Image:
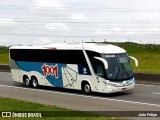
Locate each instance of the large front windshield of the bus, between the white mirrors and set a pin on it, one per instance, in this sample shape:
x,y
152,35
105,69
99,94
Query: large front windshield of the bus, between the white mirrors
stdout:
x,y
119,66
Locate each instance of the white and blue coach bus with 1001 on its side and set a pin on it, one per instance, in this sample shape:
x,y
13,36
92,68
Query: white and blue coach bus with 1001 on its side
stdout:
x,y
90,67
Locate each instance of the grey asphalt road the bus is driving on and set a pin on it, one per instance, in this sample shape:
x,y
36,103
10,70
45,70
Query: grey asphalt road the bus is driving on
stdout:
x,y
142,98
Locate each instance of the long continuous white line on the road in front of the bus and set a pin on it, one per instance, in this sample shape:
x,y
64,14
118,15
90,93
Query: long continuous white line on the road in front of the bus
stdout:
x,y
133,102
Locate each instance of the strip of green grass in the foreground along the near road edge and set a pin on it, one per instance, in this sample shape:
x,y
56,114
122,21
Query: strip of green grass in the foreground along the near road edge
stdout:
x,y
21,106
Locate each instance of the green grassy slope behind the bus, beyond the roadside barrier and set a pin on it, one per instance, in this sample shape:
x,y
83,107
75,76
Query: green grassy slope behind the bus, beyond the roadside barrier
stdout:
x,y
148,55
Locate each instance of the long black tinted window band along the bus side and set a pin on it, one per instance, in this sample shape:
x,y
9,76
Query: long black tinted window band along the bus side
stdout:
x,y
52,56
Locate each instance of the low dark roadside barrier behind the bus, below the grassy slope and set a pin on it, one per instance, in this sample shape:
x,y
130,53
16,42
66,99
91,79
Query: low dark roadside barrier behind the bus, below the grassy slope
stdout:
x,y
140,77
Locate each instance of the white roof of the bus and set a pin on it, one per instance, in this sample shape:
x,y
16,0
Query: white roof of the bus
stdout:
x,y
97,47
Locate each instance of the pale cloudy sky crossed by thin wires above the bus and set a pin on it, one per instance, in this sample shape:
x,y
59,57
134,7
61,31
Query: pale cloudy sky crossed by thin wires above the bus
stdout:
x,y
28,22
